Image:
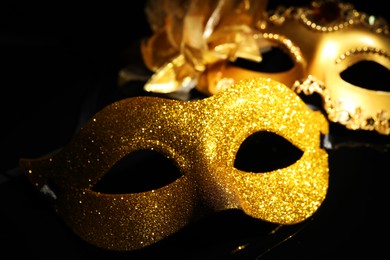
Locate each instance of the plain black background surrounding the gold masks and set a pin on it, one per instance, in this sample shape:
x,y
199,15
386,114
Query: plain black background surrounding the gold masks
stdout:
x,y
59,65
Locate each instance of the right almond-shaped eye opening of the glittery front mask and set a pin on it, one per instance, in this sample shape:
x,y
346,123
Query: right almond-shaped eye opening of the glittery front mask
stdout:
x,y
265,151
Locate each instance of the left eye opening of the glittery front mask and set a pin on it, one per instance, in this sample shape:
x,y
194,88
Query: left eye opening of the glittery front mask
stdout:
x,y
139,171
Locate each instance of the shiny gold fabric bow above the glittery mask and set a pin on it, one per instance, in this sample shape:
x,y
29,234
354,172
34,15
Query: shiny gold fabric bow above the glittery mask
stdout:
x,y
189,35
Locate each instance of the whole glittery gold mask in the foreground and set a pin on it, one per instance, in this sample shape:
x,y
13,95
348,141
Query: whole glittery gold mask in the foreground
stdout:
x,y
201,138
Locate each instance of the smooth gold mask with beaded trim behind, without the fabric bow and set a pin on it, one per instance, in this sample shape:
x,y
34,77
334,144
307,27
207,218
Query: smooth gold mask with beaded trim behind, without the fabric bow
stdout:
x,y
325,41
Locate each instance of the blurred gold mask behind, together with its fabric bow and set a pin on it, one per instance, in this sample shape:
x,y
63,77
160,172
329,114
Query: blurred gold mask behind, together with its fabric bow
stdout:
x,y
324,42
